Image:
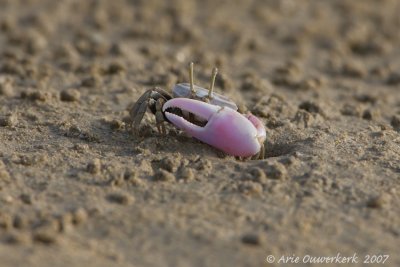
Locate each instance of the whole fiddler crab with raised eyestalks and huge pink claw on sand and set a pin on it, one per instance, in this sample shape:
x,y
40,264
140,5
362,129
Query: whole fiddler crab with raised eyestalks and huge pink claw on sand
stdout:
x,y
207,116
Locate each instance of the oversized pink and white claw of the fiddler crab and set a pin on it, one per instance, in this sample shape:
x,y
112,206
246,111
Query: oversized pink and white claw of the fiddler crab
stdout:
x,y
226,129
